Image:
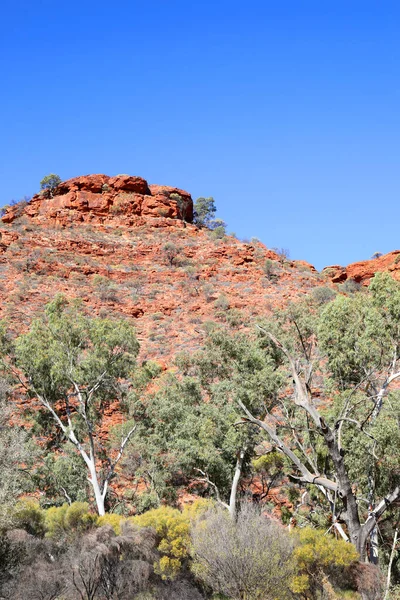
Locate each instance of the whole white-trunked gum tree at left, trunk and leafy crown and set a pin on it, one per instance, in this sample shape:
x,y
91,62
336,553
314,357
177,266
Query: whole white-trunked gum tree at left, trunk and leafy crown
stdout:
x,y
73,366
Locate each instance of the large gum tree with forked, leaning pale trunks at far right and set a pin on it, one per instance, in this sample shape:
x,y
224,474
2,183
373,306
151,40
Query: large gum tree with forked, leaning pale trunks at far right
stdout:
x,y
339,426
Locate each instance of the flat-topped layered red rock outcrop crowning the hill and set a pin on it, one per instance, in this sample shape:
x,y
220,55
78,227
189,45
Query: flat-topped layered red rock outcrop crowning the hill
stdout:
x,y
124,199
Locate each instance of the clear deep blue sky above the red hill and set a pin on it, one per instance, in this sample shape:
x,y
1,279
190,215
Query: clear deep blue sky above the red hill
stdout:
x,y
287,112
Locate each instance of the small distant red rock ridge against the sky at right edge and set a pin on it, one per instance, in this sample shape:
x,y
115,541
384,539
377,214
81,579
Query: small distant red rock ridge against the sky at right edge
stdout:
x,y
363,271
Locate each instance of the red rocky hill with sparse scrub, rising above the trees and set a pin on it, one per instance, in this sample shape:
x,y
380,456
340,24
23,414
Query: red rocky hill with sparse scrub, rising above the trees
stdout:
x,y
128,248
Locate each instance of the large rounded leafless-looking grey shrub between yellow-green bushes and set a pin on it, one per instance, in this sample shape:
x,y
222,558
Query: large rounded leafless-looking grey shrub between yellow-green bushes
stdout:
x,y
245,559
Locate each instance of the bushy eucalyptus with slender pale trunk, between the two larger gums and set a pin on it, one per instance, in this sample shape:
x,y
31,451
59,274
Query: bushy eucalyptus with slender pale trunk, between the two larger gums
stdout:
x,y
187,431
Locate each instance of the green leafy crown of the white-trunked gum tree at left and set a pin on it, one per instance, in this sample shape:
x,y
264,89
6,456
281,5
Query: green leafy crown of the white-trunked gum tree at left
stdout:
x,y
66,344
